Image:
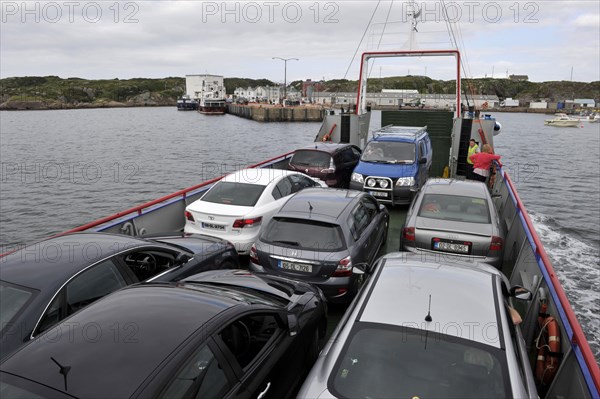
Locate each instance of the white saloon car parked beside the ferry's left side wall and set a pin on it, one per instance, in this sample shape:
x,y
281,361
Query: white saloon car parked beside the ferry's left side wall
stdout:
x,y
238,205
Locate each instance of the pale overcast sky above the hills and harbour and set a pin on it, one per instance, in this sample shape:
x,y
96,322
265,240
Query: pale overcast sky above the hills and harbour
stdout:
x,y
546,40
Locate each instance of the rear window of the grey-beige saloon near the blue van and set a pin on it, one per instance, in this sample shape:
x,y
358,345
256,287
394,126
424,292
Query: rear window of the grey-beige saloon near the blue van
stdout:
x,y
455,208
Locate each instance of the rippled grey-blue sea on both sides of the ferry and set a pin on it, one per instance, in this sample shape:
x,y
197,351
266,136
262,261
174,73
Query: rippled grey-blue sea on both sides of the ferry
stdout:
x,y
62,169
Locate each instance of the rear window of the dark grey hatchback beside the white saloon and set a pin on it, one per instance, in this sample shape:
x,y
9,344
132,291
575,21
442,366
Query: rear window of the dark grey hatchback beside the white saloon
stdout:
x,y
304,234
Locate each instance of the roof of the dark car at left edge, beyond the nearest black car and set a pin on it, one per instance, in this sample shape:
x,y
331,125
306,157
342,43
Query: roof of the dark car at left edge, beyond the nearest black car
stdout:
x,y
54,260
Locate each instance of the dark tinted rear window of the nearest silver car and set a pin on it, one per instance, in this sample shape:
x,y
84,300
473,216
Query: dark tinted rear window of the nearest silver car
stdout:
x,y
383,361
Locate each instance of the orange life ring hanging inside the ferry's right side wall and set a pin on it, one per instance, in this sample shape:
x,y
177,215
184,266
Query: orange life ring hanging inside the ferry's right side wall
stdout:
x,y
548,351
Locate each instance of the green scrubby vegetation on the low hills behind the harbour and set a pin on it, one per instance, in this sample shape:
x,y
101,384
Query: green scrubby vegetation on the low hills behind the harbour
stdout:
x,y
53,92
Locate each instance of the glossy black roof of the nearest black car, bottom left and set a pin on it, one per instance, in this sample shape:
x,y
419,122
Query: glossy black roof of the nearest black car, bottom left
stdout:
x,y
139,326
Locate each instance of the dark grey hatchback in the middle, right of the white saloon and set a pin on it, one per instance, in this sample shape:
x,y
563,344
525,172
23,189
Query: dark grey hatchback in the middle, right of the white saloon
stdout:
x,y
325,237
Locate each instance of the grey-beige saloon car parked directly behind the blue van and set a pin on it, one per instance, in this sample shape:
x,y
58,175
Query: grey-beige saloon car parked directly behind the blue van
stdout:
x,y
457,217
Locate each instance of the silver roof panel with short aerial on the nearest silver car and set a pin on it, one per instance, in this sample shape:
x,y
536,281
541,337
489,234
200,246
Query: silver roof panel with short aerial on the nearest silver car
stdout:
x,y
463,299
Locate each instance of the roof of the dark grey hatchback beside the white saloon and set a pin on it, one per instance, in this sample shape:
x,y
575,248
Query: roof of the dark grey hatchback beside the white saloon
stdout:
x,y
327,204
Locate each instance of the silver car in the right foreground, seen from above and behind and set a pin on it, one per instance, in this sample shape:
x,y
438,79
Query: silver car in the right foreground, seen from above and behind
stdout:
x,y
425,328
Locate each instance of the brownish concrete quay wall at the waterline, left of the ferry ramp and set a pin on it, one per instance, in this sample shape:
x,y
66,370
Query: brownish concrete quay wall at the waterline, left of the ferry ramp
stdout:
x,y
273,113
